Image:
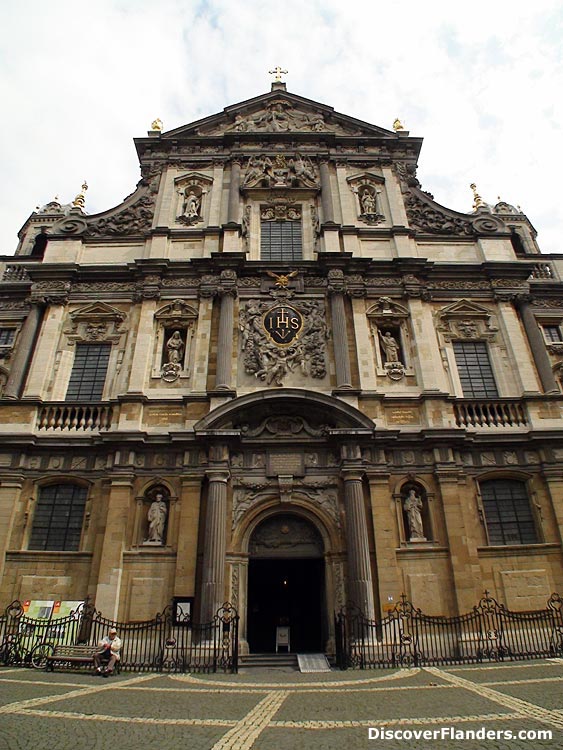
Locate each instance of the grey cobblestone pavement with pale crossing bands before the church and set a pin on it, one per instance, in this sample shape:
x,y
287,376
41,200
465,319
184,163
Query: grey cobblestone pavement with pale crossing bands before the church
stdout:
x,y
285,709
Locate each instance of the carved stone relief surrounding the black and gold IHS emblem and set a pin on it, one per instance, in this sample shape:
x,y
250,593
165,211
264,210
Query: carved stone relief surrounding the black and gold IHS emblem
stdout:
x,y
302,324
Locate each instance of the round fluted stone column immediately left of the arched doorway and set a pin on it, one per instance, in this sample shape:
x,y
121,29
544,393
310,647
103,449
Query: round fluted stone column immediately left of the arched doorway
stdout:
x,y
215,544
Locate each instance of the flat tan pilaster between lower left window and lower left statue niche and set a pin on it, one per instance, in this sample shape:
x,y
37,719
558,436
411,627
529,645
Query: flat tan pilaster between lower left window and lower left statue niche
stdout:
x,y
116,525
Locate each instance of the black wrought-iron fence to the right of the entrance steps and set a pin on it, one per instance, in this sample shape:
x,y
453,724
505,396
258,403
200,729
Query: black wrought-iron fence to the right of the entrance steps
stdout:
x,y
408,637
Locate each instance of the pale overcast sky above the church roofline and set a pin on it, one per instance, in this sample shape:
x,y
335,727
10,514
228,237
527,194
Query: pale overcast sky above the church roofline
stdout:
x,y
481,82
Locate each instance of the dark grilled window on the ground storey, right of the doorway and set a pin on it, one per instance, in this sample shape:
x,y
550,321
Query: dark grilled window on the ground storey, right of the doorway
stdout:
x,y
508,514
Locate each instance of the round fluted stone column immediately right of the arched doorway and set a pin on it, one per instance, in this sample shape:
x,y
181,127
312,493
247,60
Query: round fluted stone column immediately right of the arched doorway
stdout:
x,y
360,584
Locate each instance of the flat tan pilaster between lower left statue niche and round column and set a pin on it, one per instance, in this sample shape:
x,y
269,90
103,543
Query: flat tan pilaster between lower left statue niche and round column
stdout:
x,y
188,520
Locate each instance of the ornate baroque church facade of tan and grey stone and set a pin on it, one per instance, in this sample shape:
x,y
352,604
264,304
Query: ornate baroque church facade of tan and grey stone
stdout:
x,y
280,374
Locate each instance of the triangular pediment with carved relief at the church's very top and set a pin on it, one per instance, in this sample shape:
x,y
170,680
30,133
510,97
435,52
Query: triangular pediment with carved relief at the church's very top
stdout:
x,y
279,111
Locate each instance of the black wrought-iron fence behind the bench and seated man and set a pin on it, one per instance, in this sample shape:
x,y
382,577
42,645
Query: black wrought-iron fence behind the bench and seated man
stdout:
x,y
168,643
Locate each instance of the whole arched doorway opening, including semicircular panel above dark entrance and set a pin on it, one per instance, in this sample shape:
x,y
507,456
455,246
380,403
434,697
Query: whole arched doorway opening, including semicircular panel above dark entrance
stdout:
x,y
286,584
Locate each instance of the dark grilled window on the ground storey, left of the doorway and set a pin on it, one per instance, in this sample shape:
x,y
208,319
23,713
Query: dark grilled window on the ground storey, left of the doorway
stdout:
x,y
57,522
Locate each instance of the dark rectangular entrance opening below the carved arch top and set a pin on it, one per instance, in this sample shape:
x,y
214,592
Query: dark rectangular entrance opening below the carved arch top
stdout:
x,y
285,592
